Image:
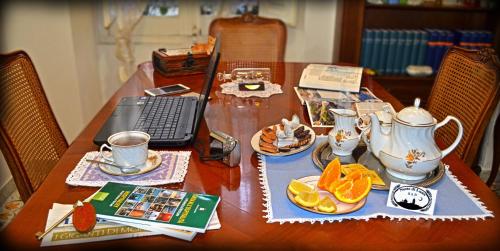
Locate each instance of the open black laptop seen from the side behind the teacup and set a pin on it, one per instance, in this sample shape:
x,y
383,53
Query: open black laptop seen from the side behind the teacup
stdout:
x,y
170,121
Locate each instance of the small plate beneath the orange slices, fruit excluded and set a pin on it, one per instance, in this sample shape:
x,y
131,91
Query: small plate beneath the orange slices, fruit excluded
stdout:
x,y
342,208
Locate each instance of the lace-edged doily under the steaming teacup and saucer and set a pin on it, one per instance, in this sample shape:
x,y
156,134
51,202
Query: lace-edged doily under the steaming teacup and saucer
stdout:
x,y
173,169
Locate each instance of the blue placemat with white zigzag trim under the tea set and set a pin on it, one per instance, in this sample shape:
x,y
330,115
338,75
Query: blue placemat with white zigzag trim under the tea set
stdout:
x,y
454,201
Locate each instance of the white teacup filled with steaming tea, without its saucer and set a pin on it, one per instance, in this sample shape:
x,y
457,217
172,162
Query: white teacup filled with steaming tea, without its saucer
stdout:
x,y
128,148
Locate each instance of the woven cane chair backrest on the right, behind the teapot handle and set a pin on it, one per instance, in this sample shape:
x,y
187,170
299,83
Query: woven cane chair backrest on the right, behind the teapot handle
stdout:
x,y
467,87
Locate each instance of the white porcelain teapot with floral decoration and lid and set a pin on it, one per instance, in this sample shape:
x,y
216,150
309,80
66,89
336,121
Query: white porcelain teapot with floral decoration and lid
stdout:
x,y
408,149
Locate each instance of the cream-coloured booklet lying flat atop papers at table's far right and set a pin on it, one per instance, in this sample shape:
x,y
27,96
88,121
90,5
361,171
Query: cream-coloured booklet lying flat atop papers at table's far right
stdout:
x,y
331,77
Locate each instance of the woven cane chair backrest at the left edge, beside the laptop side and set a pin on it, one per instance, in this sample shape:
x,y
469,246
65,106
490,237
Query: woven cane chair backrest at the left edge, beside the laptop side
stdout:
x,y
30,138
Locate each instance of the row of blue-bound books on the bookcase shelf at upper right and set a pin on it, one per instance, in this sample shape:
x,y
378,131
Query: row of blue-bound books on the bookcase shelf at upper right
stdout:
x,y
389,51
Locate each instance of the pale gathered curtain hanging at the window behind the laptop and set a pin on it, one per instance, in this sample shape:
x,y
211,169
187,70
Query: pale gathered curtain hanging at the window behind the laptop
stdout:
x,y
123,16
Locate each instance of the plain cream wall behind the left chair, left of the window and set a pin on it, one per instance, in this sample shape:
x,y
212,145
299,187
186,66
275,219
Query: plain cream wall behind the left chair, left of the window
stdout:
x,y
60,40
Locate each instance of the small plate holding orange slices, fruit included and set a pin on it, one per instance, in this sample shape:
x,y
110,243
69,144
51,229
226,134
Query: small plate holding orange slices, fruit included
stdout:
x,y
330,193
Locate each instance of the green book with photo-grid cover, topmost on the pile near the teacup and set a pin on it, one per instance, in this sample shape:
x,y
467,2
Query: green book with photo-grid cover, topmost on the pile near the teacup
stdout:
x,y
155,207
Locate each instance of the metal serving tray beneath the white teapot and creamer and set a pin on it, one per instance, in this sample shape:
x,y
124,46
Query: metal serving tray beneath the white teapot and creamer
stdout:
x,y
322,155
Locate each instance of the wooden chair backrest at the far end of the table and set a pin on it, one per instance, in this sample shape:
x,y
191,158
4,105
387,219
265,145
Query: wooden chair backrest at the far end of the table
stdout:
x,y
250,38
